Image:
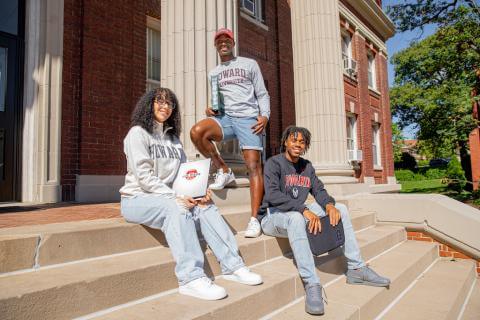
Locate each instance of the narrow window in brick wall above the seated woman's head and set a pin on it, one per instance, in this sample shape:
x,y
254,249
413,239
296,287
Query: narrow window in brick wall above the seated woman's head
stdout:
x,y
153,53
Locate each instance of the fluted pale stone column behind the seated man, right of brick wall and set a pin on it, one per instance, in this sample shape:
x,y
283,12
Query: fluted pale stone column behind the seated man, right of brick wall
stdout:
x,y
319,93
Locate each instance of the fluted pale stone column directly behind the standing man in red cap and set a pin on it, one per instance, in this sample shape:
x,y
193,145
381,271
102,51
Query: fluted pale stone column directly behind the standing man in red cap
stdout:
x,y
188,53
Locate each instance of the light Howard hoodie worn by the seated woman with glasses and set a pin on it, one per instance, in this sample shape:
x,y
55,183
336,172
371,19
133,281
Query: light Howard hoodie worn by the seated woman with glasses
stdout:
x,y
152,161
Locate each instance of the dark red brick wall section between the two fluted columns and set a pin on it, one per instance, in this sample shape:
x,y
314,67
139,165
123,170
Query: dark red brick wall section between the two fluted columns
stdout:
x,y
272,49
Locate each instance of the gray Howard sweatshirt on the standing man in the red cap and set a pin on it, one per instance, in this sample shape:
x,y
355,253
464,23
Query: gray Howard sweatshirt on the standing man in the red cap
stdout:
x,y
241,88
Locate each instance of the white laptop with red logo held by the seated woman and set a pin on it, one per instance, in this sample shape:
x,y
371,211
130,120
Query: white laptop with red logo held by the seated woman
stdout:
x,y
192,178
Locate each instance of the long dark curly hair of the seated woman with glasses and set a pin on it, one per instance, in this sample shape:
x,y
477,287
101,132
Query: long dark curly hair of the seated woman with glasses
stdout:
x,y
143,116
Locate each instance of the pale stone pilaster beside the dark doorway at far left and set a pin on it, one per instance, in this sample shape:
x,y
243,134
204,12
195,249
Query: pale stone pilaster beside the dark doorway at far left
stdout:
x,y
42,101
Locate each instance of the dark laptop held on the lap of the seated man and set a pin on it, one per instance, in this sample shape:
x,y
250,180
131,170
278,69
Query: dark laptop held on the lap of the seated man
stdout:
x,y
330,238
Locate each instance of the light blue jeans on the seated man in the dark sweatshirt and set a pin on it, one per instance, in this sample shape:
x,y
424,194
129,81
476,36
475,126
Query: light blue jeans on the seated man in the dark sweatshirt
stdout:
x,y
293,226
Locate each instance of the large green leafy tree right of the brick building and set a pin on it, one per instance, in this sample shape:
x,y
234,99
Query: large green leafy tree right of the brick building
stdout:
x,y
435,77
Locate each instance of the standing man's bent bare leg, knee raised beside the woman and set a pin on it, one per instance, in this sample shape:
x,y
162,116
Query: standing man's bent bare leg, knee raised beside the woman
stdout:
x,y
203,134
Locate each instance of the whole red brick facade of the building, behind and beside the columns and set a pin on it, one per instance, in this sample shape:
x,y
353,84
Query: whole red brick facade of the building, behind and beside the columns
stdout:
x,y
104,72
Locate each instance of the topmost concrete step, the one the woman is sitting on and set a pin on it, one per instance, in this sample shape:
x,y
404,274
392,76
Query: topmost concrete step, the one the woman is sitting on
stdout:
x,y
50,244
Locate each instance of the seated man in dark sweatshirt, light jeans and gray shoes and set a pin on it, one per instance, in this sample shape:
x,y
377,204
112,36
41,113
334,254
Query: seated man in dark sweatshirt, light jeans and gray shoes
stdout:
x,y
289,179
